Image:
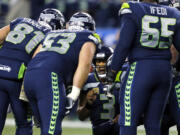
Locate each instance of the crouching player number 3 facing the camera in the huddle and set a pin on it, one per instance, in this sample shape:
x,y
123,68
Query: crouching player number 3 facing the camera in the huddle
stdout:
x,y
96,101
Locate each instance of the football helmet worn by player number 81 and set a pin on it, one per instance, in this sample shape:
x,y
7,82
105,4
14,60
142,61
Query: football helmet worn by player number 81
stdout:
x,y
53,18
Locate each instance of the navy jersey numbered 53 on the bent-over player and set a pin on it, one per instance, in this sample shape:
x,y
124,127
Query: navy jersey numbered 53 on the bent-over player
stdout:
x,y
60,52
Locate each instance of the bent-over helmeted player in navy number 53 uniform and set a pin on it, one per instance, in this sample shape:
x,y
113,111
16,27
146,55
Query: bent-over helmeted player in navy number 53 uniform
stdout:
x,y
63,59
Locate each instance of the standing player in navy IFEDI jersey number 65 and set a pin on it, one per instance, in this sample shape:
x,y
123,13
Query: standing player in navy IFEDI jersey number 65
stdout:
x,y
147,30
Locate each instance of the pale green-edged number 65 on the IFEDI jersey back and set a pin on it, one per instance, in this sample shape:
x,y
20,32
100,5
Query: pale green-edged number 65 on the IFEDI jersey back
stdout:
x,y
150,37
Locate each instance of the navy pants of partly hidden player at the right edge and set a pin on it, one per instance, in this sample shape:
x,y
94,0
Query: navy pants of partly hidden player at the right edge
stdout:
x,y
172,112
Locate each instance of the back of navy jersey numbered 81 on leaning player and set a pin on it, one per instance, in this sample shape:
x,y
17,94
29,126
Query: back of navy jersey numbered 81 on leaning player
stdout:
x,y
24,36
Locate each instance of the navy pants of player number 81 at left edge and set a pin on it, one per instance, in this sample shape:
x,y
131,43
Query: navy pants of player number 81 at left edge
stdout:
x,y
9,94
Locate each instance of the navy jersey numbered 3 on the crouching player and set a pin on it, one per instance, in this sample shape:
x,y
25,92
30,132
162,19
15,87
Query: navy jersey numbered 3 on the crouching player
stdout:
x,y
104,108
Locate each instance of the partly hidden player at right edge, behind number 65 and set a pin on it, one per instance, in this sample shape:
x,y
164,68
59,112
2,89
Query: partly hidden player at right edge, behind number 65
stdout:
x,y
171,115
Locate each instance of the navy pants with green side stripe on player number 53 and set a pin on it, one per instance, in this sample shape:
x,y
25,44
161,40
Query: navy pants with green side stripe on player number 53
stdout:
x,y
46,93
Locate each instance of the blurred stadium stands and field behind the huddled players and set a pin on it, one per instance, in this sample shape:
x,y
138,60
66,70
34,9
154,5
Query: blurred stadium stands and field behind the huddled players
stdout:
x,y
105,13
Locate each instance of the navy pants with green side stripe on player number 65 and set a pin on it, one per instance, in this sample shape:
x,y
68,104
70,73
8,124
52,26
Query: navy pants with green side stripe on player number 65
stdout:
x,y
144,91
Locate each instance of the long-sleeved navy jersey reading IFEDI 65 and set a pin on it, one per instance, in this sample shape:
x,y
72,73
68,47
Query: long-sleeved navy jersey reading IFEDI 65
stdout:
x,y
146,32
